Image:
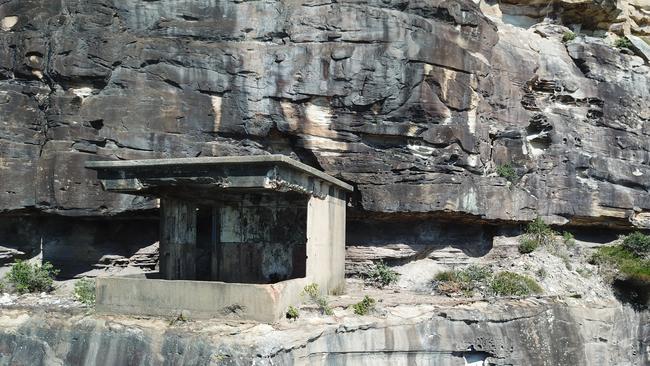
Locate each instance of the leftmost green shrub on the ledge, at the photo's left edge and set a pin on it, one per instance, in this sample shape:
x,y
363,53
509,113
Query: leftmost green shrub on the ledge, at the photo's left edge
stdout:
x,y
25,277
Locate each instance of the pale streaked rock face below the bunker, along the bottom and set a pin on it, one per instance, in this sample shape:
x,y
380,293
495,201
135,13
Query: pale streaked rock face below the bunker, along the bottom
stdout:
x,y
525,332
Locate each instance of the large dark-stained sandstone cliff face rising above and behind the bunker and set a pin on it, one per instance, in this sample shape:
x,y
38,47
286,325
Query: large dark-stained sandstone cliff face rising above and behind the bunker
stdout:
x,y
416,103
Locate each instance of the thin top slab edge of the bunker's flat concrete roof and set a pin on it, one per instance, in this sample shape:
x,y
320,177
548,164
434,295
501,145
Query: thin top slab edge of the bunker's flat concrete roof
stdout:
x,y
216,163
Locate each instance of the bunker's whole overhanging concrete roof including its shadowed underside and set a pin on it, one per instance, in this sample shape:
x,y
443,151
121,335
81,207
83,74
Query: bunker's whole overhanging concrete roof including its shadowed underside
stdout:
x,y
205,175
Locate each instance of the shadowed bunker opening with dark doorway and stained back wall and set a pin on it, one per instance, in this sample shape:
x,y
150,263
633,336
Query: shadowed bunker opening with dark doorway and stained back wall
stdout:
x,y
252,238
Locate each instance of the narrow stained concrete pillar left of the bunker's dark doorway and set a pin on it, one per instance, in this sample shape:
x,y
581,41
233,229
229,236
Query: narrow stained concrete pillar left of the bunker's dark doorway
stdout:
x,y
177,239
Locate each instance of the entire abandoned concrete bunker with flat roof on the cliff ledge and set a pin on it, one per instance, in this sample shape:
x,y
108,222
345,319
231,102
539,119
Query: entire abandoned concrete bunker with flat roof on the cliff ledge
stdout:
x,y
240,234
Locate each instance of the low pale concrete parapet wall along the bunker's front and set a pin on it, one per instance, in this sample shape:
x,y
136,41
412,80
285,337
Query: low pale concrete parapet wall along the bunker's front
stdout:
x,y
198,299
